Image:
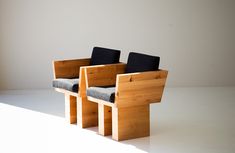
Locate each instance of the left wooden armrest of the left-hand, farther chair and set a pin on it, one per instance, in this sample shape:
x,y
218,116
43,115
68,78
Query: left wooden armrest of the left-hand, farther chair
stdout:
x,y
69,68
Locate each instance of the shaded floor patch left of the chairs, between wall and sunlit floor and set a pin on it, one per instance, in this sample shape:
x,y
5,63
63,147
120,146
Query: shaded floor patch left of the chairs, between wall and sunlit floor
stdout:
x,y
43,101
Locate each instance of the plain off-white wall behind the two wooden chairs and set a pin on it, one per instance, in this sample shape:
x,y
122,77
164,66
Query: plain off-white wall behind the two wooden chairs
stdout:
x,y
194,38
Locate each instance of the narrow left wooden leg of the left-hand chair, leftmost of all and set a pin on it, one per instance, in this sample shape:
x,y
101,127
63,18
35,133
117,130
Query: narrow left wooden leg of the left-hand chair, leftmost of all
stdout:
x,y
70,109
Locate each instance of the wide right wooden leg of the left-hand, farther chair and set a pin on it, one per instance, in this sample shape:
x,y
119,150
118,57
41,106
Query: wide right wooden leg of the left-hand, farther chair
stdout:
x,y
87,115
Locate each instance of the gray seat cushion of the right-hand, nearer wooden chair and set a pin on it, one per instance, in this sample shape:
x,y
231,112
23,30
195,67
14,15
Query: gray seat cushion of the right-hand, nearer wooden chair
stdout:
x,y
103,93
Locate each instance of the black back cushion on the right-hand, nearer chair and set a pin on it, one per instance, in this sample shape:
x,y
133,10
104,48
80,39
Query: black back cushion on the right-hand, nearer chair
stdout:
x,y
141,62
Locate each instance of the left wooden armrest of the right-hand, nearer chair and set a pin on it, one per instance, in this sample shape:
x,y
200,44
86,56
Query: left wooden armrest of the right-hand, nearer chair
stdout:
x,y
103,75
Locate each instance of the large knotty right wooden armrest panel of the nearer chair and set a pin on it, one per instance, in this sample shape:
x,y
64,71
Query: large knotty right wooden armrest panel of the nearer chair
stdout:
x,y
140,88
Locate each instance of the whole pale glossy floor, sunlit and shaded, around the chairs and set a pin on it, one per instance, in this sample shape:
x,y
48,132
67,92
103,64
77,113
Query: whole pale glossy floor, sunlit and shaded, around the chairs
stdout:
x,y
189,120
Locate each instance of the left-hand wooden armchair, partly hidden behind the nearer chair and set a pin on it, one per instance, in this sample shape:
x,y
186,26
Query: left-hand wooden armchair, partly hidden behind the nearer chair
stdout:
x,y
69,79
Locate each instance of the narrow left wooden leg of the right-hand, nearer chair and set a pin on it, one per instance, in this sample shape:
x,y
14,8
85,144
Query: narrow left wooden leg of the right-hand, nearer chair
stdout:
x,y
105,120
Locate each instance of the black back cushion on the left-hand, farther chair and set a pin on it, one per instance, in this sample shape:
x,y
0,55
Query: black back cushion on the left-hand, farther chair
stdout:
x,y
104,56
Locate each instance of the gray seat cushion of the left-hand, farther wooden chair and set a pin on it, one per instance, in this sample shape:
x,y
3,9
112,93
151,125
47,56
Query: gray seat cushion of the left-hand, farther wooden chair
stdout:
x,y
67,84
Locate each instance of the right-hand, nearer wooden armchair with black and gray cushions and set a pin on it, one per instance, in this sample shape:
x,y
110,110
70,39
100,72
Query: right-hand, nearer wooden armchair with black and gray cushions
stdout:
x,y
124,99
